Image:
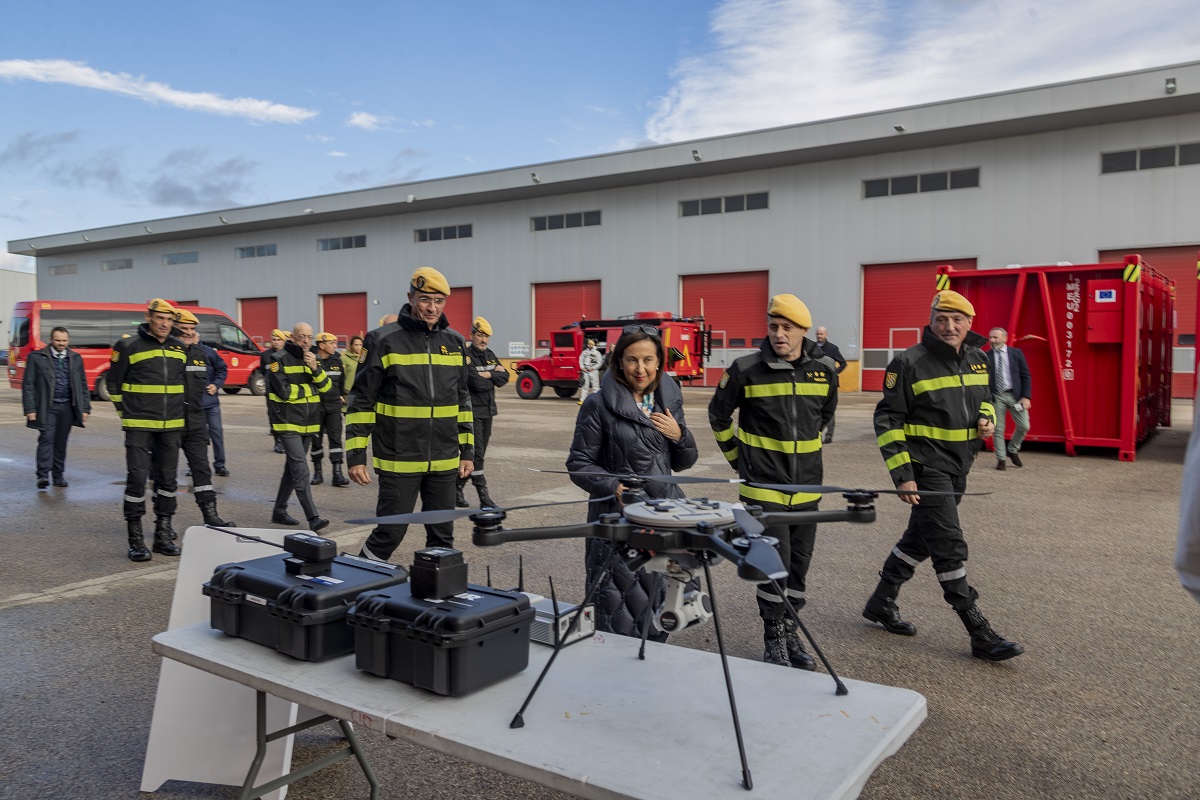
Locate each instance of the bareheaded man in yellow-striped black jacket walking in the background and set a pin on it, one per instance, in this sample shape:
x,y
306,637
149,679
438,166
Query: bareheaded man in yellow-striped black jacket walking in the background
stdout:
x,y
296,382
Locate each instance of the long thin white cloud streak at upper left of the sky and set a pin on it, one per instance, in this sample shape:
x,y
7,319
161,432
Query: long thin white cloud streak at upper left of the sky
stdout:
x,y
80,75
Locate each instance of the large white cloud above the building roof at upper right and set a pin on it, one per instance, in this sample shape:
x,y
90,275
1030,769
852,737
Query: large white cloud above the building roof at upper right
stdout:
x,y
787,62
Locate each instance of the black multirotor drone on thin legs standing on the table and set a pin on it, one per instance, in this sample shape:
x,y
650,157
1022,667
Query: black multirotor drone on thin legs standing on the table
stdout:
x,y
681,539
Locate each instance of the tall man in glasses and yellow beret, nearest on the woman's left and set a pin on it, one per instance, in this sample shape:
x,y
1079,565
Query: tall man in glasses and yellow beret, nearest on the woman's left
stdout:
x,y
412,405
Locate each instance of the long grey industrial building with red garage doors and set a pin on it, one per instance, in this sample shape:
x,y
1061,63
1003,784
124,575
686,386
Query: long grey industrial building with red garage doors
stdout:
x,y
854,215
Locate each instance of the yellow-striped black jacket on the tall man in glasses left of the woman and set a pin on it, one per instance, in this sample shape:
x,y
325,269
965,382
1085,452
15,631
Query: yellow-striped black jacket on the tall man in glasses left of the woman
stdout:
x,y
411,400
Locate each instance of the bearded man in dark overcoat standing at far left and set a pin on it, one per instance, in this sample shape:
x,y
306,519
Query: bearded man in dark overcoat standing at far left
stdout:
x,y
56,396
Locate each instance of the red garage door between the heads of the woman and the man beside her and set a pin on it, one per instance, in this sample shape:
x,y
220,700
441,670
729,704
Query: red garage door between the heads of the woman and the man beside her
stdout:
x,y
735,306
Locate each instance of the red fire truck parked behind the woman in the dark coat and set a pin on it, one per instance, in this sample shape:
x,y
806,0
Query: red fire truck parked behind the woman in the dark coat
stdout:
x,y
685,339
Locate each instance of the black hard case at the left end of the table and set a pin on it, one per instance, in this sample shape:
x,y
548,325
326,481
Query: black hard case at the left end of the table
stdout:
x,y
301,616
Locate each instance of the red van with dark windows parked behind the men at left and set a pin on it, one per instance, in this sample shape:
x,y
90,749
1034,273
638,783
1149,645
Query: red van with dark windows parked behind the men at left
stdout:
x,y
94,327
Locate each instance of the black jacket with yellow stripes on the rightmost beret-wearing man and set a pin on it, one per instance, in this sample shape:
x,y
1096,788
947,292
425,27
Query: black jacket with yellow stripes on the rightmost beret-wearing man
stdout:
x,y
933,402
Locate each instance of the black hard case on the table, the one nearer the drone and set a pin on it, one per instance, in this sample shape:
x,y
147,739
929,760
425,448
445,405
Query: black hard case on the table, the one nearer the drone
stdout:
x,y
451,647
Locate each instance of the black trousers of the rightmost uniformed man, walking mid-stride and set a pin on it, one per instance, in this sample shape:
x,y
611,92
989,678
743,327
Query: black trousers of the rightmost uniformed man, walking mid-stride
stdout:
x,y
934,533
